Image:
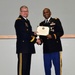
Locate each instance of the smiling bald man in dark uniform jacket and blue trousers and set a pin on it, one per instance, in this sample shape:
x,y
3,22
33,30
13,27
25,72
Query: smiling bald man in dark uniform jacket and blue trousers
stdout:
x,y
51,43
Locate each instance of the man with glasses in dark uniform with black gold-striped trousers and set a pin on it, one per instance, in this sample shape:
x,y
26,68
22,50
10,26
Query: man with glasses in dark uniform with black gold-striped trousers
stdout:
x,y
25,42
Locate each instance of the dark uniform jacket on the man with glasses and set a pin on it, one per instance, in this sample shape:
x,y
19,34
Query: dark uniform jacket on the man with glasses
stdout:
x,y
25,36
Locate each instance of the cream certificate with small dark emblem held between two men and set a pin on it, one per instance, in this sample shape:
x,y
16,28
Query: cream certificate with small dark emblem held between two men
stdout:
x,y
42,30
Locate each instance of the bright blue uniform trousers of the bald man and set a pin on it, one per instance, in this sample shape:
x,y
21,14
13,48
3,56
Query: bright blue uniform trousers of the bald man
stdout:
x,y
48,59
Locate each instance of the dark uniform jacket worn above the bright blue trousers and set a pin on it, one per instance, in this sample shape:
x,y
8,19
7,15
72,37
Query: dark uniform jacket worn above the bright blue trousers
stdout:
x,y
56,31
